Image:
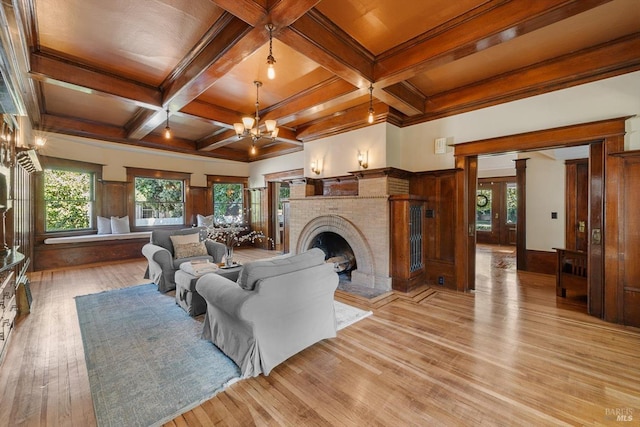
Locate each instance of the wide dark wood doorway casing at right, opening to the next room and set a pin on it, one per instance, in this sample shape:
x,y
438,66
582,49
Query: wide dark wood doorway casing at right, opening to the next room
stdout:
x,y
605,140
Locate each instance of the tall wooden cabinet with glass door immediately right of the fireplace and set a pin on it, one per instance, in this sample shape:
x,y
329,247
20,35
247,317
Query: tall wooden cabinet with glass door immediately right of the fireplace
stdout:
x,y
407,229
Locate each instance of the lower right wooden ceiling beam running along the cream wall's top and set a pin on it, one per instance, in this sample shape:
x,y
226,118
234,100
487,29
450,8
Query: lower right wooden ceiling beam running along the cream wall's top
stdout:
x,y
606,60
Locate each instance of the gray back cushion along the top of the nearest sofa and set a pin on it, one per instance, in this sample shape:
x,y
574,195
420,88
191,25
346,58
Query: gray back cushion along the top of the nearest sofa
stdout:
x,y
254,271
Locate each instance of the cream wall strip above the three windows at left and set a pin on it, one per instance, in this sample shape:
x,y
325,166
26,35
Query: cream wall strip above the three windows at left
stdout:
x,y
116,157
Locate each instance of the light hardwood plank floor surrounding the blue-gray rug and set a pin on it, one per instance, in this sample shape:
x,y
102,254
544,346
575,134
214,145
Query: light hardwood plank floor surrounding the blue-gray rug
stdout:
x,y
510,353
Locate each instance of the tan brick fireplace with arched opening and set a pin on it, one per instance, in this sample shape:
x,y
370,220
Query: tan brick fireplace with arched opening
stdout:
x,y
362,219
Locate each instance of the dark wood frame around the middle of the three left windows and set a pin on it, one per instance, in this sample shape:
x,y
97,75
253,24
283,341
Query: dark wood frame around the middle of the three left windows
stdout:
x,y
133,173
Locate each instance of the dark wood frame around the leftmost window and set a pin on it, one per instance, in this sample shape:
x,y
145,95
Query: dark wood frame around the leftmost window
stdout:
x,y
73,166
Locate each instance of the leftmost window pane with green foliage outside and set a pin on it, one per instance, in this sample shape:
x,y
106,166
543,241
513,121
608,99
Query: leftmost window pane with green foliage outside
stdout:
x,y
68,200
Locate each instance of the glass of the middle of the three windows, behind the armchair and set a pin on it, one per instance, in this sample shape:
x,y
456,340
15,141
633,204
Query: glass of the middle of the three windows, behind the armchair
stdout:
x,y
159,201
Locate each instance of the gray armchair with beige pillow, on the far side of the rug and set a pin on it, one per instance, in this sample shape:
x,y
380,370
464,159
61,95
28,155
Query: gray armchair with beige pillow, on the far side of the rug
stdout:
x,y
163,264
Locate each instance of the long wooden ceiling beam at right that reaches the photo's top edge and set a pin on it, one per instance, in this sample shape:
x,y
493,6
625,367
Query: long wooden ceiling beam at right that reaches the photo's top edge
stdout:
x,y
483,28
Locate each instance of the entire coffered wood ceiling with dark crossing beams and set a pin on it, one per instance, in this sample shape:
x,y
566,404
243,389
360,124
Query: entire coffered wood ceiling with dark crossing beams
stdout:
x,y
109,69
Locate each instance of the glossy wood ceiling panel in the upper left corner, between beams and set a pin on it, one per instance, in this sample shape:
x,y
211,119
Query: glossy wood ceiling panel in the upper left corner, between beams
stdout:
x,y
143,40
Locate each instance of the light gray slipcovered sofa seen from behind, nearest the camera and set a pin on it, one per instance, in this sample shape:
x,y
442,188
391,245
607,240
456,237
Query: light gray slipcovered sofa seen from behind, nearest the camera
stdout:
x,y
277,308
